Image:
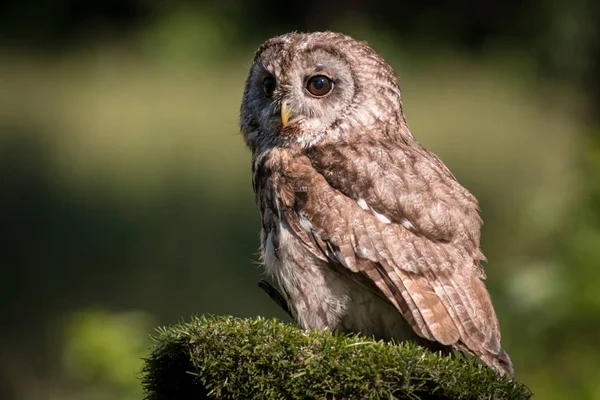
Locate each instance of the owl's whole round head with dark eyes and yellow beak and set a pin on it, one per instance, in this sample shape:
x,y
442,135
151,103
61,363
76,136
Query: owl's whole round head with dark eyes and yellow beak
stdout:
x,y
304,88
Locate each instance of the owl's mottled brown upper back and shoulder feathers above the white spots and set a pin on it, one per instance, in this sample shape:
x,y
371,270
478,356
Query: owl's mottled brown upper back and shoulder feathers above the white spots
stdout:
x,y
404,184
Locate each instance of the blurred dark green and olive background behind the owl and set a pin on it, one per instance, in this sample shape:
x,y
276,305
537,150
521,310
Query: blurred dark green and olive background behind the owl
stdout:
x,y
125,195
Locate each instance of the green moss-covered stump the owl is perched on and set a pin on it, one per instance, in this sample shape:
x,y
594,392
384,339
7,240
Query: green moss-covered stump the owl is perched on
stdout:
x,y
231,358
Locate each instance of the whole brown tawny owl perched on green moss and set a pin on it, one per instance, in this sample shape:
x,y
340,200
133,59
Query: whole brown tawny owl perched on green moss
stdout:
x,y
363,229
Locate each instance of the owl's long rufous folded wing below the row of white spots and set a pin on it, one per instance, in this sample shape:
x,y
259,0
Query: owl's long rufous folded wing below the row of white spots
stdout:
x,y
435,284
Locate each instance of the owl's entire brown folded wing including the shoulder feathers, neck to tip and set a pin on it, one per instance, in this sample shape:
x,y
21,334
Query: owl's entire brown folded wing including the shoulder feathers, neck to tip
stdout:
x,y
414,232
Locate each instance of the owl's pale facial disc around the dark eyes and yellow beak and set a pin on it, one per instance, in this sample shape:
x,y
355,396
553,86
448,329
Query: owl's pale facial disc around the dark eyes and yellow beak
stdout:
x,y
296,91
